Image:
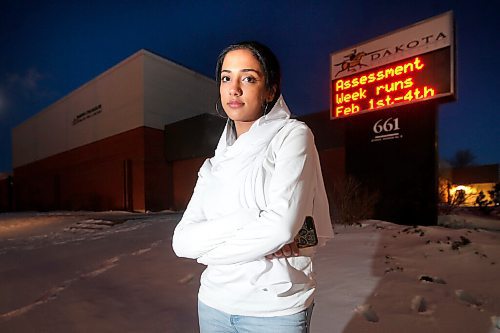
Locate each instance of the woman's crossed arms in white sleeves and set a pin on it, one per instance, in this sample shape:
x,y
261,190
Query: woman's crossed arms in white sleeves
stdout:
x,y
248,234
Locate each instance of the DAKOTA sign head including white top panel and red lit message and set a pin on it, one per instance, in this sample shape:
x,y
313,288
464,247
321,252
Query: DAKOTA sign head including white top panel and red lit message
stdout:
x,y
414,70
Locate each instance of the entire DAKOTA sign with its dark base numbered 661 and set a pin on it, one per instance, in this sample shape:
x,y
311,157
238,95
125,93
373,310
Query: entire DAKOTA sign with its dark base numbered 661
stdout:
x,y
387,91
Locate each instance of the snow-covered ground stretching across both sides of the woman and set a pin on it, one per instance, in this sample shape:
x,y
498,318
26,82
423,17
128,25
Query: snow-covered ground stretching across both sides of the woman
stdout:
x,y
116,272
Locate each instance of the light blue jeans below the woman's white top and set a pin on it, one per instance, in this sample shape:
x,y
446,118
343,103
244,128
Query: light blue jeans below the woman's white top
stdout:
x,y
215,321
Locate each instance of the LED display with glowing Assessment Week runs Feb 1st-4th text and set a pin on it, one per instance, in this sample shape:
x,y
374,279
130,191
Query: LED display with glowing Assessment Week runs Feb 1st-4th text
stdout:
x,y
418,78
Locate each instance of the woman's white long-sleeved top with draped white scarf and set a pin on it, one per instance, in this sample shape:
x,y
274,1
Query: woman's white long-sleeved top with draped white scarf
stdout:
x,y
250,200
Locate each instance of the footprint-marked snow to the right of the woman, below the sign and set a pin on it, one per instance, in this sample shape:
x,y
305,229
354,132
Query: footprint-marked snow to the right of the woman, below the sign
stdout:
x,y
382,270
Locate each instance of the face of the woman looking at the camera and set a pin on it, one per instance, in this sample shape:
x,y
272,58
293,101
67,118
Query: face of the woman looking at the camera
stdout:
x,y
243,88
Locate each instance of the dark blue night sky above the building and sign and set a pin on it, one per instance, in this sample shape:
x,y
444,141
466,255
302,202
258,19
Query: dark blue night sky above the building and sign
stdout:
x,y
50,48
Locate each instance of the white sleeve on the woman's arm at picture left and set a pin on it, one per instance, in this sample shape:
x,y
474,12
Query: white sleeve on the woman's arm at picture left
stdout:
x,y
195,235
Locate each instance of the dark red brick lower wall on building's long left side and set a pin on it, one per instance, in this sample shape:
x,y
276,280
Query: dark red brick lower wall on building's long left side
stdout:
x,y
91,177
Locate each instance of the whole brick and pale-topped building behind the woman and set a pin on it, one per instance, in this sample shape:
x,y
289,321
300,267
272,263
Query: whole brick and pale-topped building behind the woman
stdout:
x,y
133,138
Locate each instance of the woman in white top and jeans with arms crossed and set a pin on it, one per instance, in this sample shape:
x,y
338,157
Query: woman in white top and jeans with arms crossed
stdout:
x,y
250,201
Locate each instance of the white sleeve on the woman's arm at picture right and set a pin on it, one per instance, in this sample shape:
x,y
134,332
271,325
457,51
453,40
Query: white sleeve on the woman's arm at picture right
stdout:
x,y
290,199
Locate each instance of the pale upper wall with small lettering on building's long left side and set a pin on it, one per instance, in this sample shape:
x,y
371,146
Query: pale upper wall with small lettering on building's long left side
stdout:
x,y
110,104
